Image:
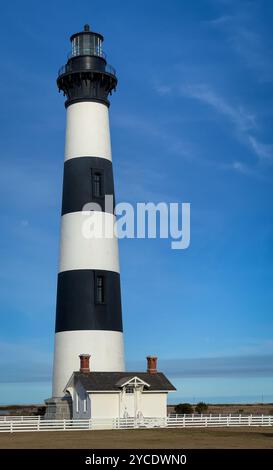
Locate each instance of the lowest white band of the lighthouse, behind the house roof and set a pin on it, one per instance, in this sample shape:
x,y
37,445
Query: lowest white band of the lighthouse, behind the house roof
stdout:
x,y
105,348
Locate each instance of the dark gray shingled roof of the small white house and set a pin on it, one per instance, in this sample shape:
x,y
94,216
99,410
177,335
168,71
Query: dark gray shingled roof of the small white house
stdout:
x,y
110,381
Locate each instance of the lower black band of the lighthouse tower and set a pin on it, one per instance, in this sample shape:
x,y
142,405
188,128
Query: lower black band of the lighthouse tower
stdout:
x,y
76,304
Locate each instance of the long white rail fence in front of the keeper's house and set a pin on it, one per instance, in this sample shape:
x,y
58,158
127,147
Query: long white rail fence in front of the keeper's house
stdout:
x,y
28,423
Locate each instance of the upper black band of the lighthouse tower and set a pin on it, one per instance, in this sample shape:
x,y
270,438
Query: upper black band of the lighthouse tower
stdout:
x,y
78,186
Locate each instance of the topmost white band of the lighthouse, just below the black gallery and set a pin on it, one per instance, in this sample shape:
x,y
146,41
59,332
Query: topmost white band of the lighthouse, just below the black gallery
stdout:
x,y
87,131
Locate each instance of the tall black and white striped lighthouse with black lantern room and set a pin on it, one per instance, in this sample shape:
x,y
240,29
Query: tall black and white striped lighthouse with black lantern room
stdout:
x,y
88,312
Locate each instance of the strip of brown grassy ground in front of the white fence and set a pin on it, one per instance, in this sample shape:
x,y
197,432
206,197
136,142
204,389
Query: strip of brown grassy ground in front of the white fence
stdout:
x,y
216,438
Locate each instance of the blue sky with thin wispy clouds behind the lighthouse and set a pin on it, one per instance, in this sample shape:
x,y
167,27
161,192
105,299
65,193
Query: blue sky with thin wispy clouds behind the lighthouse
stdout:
x,y
191,122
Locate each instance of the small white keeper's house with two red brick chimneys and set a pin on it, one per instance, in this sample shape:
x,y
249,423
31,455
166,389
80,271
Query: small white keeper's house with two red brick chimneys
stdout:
x,y
118,394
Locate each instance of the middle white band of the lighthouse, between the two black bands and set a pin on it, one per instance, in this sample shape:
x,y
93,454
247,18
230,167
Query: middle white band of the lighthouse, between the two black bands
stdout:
x,y
79,252
